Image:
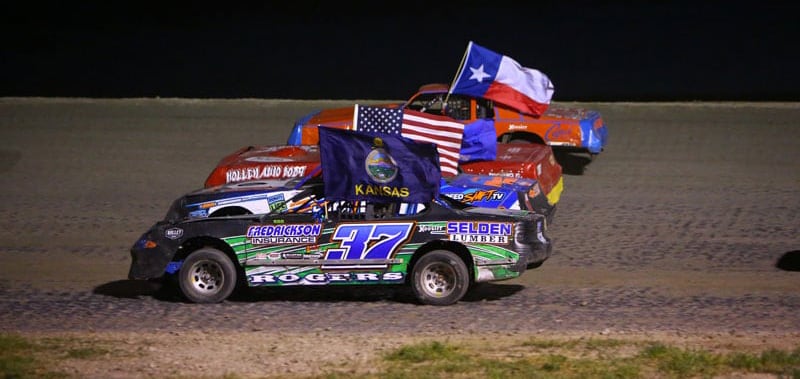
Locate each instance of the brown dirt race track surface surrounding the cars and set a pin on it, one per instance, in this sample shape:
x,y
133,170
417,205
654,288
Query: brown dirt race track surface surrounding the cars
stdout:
x,y
685,229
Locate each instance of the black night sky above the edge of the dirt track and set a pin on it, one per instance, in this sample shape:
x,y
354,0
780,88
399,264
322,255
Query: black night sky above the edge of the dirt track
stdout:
x,y
598,51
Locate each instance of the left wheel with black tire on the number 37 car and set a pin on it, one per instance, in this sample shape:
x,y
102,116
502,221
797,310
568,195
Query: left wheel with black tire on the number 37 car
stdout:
x,y
207,276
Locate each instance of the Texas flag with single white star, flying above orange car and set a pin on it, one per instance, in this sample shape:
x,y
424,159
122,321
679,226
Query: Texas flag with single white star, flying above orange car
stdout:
x,y
497,77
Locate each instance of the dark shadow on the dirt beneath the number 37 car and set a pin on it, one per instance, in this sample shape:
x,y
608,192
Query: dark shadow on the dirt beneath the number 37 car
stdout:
x,y
133,289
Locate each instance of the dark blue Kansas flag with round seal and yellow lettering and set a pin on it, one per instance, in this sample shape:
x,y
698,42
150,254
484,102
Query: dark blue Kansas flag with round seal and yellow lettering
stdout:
x,y
377,167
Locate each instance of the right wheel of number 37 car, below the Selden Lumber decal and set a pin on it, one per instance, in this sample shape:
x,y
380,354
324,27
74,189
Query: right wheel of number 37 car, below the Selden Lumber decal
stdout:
x,y
440,277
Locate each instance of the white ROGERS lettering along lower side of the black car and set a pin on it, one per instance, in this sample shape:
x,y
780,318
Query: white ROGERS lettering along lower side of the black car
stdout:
x,y
322,278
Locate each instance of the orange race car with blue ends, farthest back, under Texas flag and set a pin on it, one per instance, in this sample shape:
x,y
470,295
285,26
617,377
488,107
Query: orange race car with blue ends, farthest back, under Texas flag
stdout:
x,y
568,129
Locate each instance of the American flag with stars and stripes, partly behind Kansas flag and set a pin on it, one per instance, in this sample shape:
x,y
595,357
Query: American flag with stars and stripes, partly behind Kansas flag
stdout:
x,y
443,131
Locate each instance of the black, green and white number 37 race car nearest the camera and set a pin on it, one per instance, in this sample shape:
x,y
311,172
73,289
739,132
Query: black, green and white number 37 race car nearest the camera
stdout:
x,y
439,248
